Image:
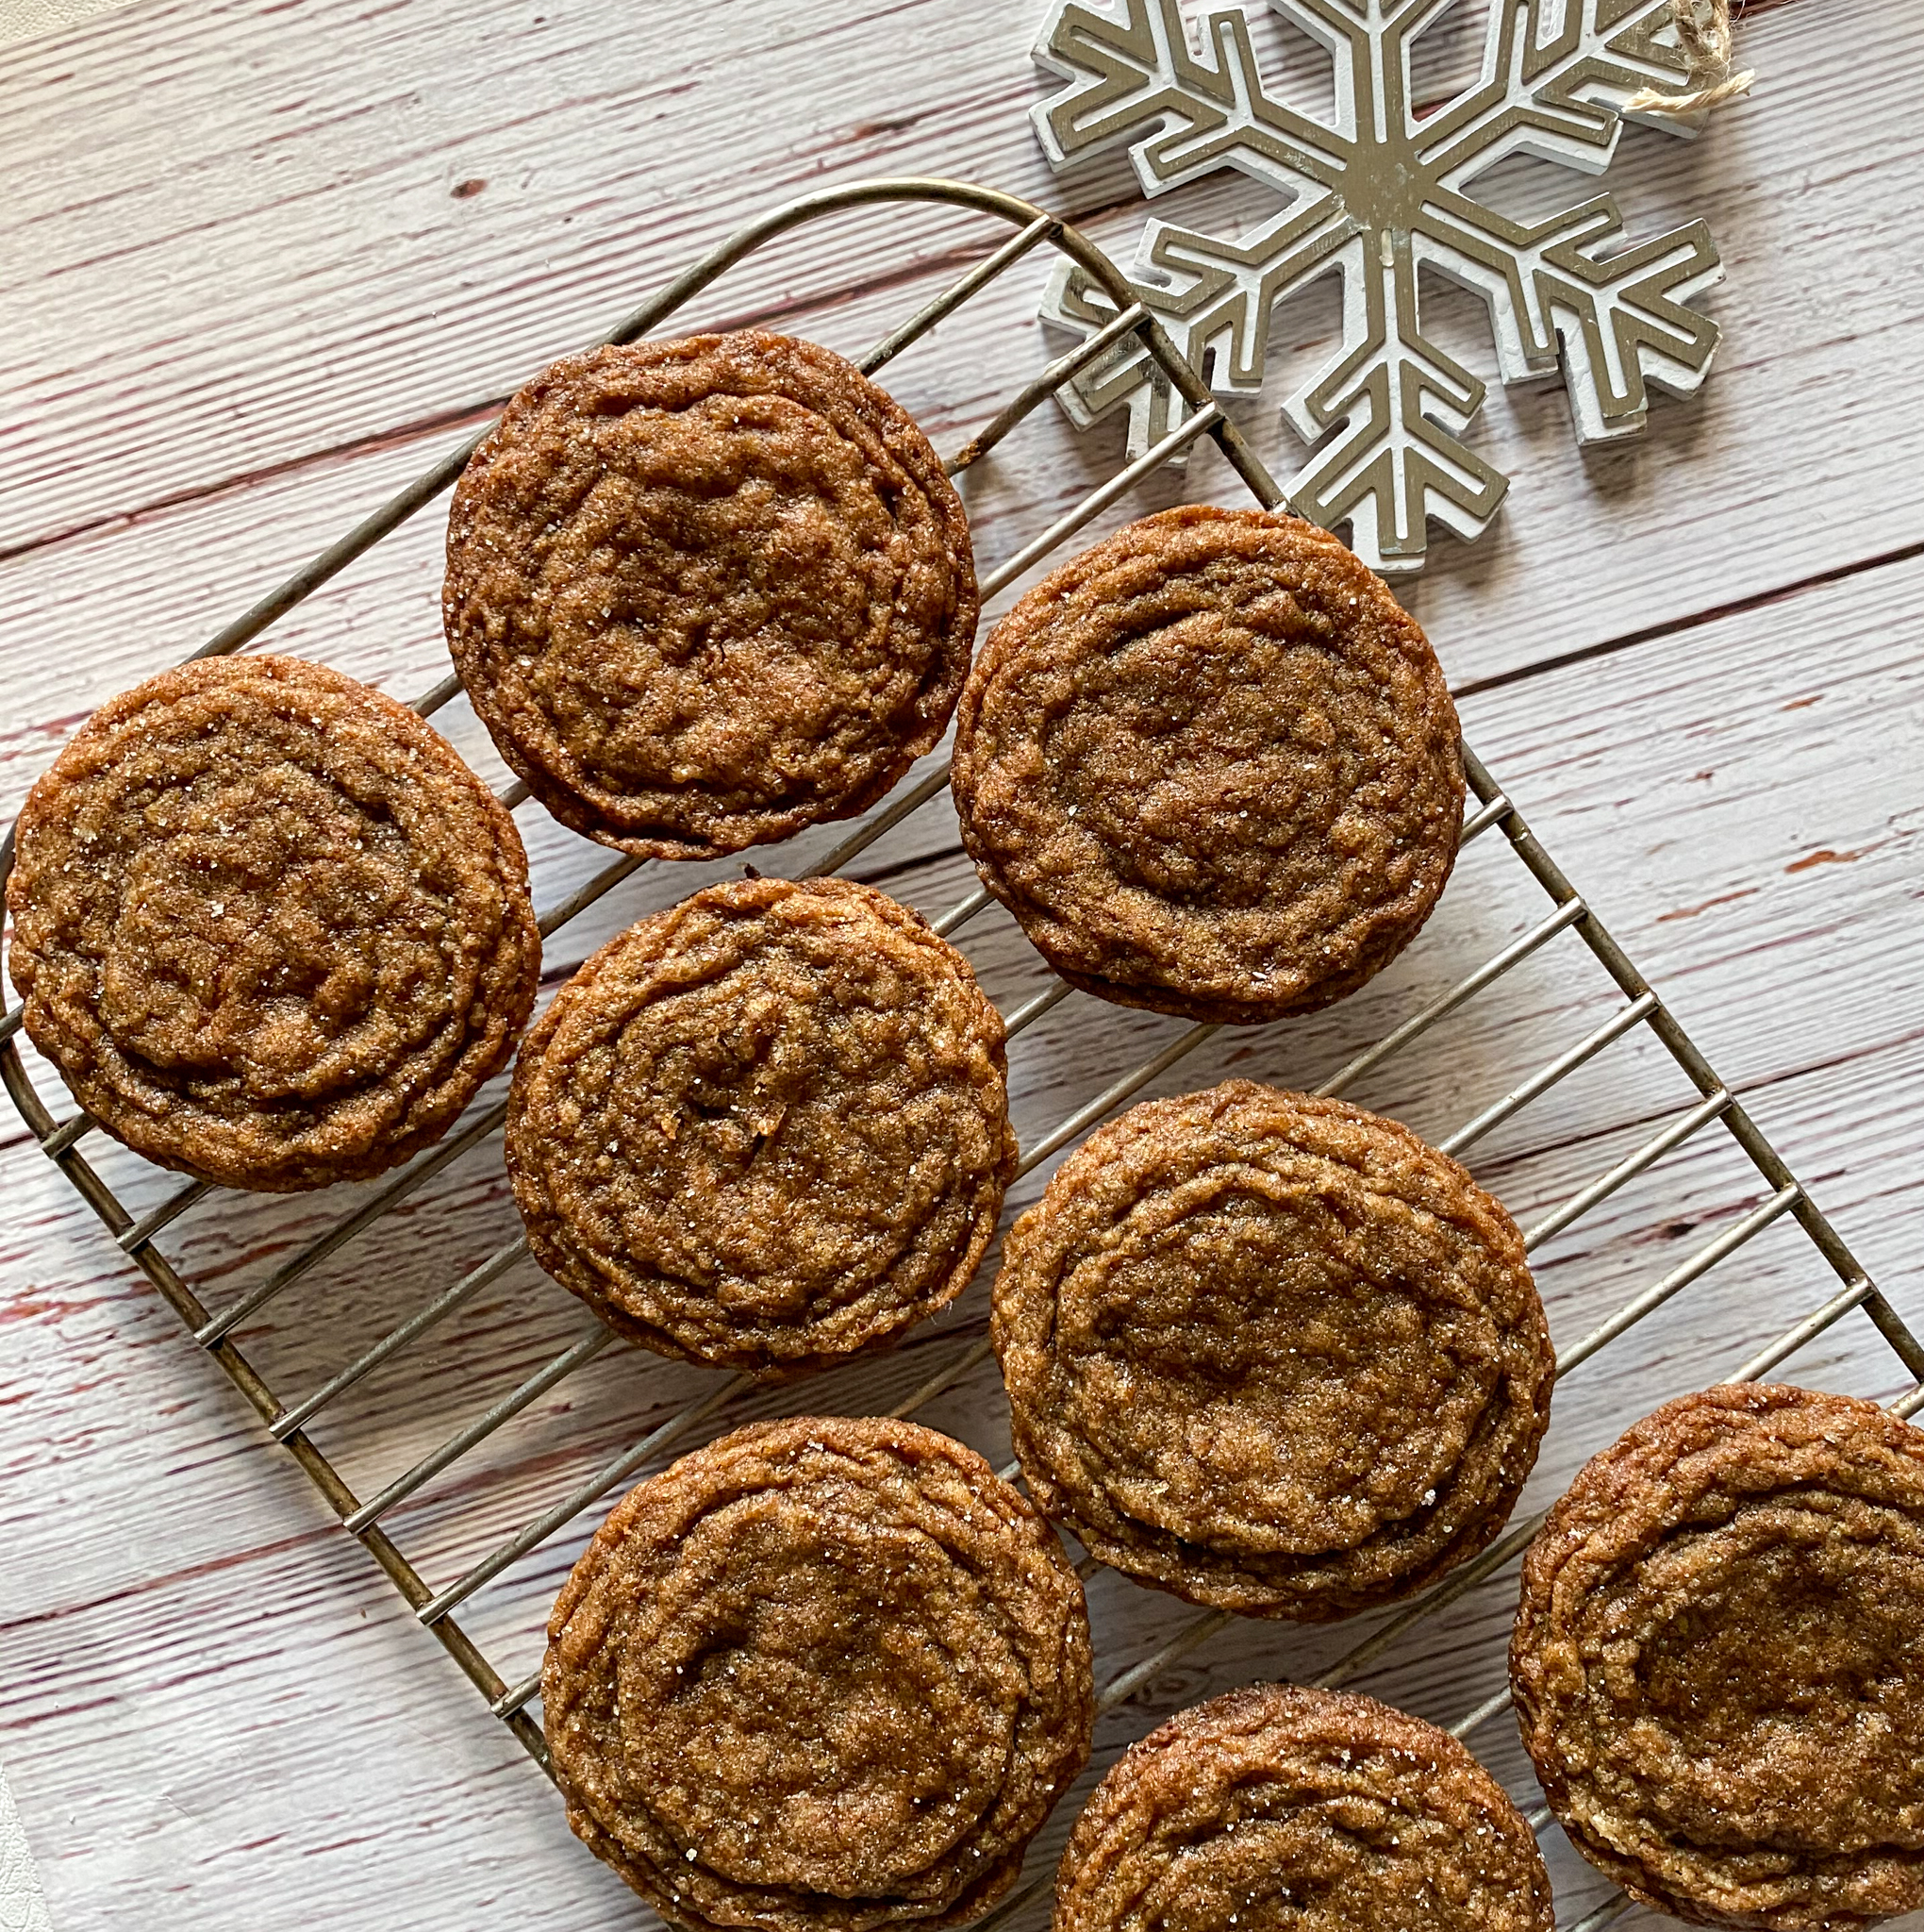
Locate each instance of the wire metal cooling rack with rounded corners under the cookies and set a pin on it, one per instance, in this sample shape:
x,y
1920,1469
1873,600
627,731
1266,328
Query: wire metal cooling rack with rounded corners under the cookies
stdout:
x,y
434,1605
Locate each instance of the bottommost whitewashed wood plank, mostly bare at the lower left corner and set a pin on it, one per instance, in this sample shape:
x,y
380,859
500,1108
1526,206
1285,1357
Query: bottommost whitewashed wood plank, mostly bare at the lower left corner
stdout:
x,y
252,1688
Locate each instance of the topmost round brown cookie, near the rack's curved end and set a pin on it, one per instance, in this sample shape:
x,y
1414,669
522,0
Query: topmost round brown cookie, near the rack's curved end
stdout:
x,y
708,592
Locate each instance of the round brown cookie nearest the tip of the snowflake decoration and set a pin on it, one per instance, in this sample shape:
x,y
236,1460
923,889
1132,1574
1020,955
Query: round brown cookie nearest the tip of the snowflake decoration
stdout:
x,y
1212,768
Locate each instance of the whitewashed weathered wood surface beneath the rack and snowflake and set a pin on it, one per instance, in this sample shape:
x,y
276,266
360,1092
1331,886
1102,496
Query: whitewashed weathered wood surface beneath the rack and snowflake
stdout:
x,y
244,304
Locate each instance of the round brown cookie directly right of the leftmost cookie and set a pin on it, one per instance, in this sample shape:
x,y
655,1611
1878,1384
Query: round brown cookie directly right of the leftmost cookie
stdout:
x,y
768,1127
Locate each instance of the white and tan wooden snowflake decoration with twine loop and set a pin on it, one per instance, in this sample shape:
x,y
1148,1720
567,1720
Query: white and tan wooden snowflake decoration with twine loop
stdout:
x,y
1376,198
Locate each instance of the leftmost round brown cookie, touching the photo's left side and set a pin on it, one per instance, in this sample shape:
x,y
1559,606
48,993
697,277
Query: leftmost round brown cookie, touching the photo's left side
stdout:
x,y
269,928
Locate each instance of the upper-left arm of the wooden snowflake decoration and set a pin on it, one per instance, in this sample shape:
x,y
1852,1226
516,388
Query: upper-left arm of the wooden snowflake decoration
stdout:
x,y
1208,111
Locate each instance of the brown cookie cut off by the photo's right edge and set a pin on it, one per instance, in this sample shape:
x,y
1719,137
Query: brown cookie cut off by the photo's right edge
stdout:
x,y
1720,1661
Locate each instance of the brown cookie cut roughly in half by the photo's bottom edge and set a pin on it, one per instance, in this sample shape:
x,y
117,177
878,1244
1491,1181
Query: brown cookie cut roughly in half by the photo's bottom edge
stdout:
x,y
1309,1809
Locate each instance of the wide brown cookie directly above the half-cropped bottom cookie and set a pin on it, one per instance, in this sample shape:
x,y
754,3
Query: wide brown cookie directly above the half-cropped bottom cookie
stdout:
x,y
1272,1353
